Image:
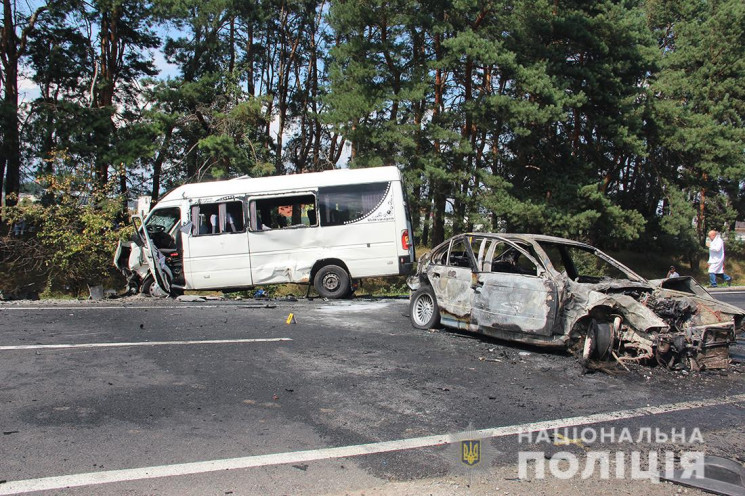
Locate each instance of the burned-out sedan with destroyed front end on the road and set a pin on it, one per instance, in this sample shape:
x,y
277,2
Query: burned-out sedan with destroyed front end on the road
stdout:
x,y
559,293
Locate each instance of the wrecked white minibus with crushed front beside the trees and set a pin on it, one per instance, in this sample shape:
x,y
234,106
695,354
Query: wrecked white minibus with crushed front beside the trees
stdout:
x,y
326,228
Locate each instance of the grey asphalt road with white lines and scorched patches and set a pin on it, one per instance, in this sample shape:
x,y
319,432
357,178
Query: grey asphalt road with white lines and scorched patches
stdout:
x,y
144,396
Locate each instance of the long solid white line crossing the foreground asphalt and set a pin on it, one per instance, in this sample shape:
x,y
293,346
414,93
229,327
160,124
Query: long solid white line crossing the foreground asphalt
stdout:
x,y
95,478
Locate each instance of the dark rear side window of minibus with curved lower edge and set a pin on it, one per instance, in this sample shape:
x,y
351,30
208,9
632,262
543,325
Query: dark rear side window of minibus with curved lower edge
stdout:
x,y
339,205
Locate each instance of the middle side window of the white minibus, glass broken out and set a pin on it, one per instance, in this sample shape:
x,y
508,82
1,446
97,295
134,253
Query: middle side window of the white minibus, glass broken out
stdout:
x,y
283,212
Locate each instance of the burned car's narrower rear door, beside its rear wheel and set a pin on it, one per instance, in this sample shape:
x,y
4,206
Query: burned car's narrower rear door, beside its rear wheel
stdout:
x,y
451,278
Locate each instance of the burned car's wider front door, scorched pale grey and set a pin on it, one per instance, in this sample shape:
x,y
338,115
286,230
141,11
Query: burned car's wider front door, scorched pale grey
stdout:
x,y
513,296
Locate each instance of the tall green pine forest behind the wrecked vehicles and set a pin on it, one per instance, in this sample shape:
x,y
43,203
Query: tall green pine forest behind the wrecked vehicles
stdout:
x,y
616,122
